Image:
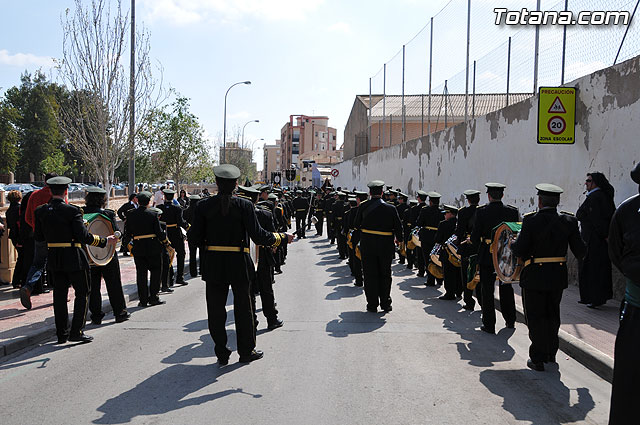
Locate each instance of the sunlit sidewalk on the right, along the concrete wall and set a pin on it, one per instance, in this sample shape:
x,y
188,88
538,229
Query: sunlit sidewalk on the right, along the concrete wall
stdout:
x,y
588,335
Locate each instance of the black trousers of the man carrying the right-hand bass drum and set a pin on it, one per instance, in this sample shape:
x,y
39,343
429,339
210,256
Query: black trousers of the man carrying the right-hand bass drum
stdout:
x,y
507,299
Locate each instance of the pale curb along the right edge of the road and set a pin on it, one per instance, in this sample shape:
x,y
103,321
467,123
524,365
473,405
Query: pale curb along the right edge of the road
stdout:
x,y
591,358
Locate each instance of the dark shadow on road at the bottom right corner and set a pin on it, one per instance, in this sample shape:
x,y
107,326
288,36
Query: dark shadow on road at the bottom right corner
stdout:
x,y
541,398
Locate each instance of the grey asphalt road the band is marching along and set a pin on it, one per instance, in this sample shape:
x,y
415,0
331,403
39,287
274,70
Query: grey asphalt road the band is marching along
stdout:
x,y
331,363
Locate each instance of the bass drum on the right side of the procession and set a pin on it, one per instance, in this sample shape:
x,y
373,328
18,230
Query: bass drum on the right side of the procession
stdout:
x,y
507,265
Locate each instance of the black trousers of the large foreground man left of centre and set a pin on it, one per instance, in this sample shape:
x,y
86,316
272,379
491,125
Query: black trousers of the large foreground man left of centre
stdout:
x,y
217,292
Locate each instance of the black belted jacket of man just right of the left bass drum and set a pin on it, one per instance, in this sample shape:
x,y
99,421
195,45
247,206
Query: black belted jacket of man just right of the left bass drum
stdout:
x,y
141,222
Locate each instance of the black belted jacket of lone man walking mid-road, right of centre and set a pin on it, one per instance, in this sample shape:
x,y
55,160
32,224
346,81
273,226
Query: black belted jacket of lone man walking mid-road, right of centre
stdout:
x,y
377,216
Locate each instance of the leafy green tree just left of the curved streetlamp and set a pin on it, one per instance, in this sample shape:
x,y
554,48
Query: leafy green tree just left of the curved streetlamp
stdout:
x,y
175,137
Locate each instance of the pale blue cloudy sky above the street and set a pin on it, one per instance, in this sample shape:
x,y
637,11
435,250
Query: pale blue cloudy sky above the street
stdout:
x,y
303,57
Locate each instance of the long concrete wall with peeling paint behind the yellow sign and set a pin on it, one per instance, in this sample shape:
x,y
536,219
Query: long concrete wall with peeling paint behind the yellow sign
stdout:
x,y
502,147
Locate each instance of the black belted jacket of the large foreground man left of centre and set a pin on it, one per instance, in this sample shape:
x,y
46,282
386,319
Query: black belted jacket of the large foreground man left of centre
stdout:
x,y
213,230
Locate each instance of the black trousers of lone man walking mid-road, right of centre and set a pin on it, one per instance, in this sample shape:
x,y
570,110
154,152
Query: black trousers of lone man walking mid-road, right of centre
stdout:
x,y
376,268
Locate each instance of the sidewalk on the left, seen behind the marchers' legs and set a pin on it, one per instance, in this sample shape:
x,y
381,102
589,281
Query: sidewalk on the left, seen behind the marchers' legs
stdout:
x,y
20,328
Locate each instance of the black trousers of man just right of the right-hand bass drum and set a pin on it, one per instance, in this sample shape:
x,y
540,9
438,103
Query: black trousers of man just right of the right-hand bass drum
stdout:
x,y
542,312
